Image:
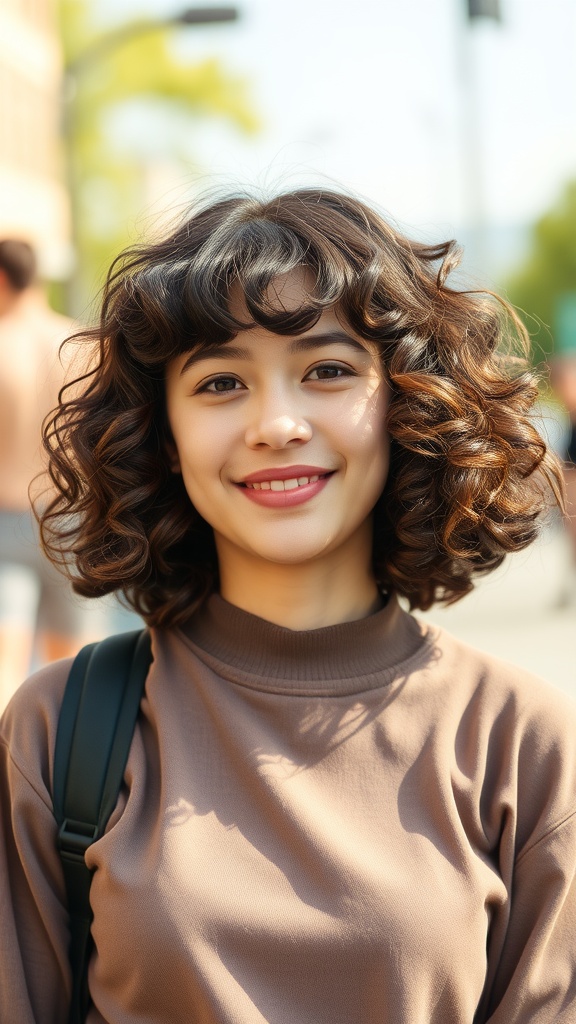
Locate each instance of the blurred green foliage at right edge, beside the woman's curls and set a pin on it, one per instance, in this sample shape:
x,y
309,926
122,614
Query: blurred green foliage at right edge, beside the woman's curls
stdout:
x,y
550,271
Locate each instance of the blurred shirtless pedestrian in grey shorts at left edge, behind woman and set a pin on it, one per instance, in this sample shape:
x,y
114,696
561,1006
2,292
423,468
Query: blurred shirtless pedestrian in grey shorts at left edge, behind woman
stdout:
x,y
35,602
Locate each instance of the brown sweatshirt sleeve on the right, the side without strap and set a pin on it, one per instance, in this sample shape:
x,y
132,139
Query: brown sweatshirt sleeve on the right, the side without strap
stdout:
x,y
534,976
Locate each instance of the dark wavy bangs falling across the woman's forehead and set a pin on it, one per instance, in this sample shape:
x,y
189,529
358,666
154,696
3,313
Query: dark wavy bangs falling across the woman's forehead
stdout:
x,y
240,254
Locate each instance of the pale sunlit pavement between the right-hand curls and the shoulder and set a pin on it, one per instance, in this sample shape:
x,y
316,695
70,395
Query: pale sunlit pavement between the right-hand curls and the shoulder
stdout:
x,y
513,613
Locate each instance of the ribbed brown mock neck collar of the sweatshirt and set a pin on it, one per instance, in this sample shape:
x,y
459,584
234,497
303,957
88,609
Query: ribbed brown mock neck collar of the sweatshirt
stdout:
x,y
338,659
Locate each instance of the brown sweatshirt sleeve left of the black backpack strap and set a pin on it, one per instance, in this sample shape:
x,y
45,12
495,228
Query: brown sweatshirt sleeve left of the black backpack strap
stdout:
x,y
35,979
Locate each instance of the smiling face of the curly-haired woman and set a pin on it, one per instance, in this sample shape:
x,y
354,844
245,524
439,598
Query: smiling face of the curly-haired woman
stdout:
x,y
281,441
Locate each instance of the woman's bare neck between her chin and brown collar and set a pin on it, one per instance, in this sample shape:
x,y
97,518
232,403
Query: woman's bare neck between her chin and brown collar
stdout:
x,y
301,598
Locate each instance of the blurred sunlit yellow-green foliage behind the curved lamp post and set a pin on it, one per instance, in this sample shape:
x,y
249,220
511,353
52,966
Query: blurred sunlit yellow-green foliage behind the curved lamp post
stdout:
x,y
106,73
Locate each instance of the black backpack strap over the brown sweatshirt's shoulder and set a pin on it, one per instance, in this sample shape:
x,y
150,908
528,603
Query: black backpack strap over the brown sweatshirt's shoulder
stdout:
x,y
96,729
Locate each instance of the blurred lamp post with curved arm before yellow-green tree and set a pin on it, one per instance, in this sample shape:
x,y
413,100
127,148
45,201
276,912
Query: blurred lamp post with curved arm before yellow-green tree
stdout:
x,y
84,63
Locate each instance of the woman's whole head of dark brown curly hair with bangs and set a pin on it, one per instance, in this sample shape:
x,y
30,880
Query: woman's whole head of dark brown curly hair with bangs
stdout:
x,y
470,475
